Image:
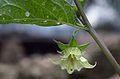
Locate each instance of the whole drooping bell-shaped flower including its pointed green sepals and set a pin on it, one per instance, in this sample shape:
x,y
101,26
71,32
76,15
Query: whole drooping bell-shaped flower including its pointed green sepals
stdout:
x,y
72,56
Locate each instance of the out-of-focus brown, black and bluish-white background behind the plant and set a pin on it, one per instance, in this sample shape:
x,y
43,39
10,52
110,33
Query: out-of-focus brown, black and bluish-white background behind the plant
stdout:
x,y
26,50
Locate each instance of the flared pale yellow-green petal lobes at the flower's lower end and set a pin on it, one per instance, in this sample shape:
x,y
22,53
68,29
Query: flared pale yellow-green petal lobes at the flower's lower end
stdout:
x,y
74,62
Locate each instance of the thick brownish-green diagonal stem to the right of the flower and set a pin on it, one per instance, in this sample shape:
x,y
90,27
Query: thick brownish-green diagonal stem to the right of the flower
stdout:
x,y
100,43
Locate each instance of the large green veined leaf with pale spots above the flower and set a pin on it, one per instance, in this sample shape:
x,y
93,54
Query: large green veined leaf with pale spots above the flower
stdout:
x,y
39,12
